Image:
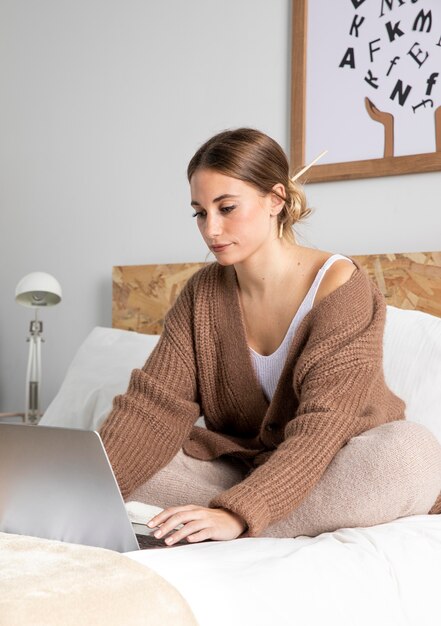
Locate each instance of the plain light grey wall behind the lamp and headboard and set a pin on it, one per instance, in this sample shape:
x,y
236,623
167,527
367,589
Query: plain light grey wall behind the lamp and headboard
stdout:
x,y
103,104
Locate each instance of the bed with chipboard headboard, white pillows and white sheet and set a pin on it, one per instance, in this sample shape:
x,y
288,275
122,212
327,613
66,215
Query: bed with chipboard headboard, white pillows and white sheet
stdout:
x,y
386,574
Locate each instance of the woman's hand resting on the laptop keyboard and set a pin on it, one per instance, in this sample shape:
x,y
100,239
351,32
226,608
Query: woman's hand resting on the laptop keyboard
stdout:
x,y
199,523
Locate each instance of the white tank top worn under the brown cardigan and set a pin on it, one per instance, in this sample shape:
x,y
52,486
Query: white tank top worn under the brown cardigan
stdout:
x,y
268,368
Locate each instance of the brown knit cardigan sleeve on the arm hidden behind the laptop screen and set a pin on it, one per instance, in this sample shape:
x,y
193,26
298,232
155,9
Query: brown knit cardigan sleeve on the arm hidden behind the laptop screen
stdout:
x,y
149,423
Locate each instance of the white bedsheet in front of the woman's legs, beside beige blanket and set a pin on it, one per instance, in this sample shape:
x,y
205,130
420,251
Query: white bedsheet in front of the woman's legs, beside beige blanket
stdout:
x,y
389,574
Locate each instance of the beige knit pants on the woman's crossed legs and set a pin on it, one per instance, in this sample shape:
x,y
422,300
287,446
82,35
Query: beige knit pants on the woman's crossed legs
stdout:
x,y
391,471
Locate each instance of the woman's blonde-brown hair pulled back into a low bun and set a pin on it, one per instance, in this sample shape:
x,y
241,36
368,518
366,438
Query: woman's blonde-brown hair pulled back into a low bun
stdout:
x,y
249,155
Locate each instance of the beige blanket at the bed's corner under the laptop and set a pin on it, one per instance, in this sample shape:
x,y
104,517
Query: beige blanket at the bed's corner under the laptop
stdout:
x,y
49,583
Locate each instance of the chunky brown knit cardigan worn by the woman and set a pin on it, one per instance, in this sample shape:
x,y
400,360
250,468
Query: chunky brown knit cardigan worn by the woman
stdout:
x,y
331,389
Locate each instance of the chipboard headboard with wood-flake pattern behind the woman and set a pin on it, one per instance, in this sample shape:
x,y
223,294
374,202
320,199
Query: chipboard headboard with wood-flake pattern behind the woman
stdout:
x,y
142,294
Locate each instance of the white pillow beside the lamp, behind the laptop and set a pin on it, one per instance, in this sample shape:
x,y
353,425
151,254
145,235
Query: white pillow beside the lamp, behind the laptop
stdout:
x,y
100,370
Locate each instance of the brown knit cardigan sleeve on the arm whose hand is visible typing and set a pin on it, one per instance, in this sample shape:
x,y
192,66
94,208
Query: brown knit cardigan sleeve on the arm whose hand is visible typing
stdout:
x,y
335,380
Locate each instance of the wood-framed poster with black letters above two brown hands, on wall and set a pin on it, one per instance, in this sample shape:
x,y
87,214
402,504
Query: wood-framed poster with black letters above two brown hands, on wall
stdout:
x,y
366,87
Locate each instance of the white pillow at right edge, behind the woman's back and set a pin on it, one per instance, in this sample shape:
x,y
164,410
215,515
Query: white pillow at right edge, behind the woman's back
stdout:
x,y
412,364
